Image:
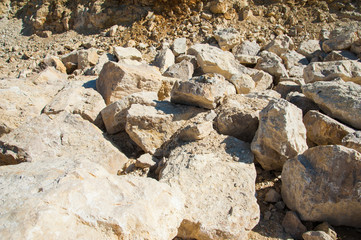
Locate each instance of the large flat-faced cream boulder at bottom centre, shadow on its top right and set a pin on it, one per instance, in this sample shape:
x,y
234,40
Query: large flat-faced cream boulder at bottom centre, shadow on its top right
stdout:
x,y
225,207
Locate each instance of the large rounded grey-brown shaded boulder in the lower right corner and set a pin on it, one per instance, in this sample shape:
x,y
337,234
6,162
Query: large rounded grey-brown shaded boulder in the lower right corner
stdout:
x,y
322,184
